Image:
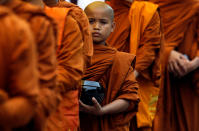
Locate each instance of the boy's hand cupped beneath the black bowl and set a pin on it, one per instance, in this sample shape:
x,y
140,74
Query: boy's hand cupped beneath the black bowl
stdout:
x,y
96,109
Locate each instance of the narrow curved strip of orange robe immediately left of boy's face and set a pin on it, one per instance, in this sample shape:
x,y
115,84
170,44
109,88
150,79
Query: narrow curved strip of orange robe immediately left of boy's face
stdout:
x,y
78,14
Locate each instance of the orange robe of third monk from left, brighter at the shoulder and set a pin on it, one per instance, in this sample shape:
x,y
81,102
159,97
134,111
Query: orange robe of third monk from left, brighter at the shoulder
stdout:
x,y
70,70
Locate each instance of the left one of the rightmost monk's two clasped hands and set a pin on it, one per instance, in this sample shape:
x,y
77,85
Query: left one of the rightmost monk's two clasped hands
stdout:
x,y
176,64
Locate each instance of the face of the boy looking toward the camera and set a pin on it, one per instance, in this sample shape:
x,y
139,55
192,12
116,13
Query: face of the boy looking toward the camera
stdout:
x,y
101,24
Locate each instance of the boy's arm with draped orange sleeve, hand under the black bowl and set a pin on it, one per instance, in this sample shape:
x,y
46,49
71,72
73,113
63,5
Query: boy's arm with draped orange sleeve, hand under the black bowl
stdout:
x,y
127,99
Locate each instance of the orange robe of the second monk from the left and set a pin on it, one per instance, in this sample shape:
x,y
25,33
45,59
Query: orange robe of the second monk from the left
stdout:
x,y
46,37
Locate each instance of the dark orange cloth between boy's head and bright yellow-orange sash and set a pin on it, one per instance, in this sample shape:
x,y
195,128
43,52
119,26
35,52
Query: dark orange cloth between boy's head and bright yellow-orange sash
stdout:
x,y
120,38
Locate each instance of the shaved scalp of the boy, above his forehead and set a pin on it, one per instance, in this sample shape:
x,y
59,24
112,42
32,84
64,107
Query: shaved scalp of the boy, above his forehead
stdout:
x,y
100,4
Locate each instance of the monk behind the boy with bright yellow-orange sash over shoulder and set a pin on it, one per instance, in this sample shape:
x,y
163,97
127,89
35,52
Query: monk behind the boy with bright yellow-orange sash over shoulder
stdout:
x,y
141,35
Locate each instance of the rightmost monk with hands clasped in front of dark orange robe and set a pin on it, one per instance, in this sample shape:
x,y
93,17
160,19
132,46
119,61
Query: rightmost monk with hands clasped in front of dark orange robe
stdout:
x,y
178,106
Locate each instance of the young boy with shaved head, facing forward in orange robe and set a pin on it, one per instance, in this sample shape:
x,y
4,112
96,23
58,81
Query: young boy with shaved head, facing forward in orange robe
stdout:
x,y
114,70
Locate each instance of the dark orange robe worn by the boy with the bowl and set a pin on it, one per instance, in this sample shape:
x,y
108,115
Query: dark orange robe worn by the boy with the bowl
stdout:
x,y
114,71
